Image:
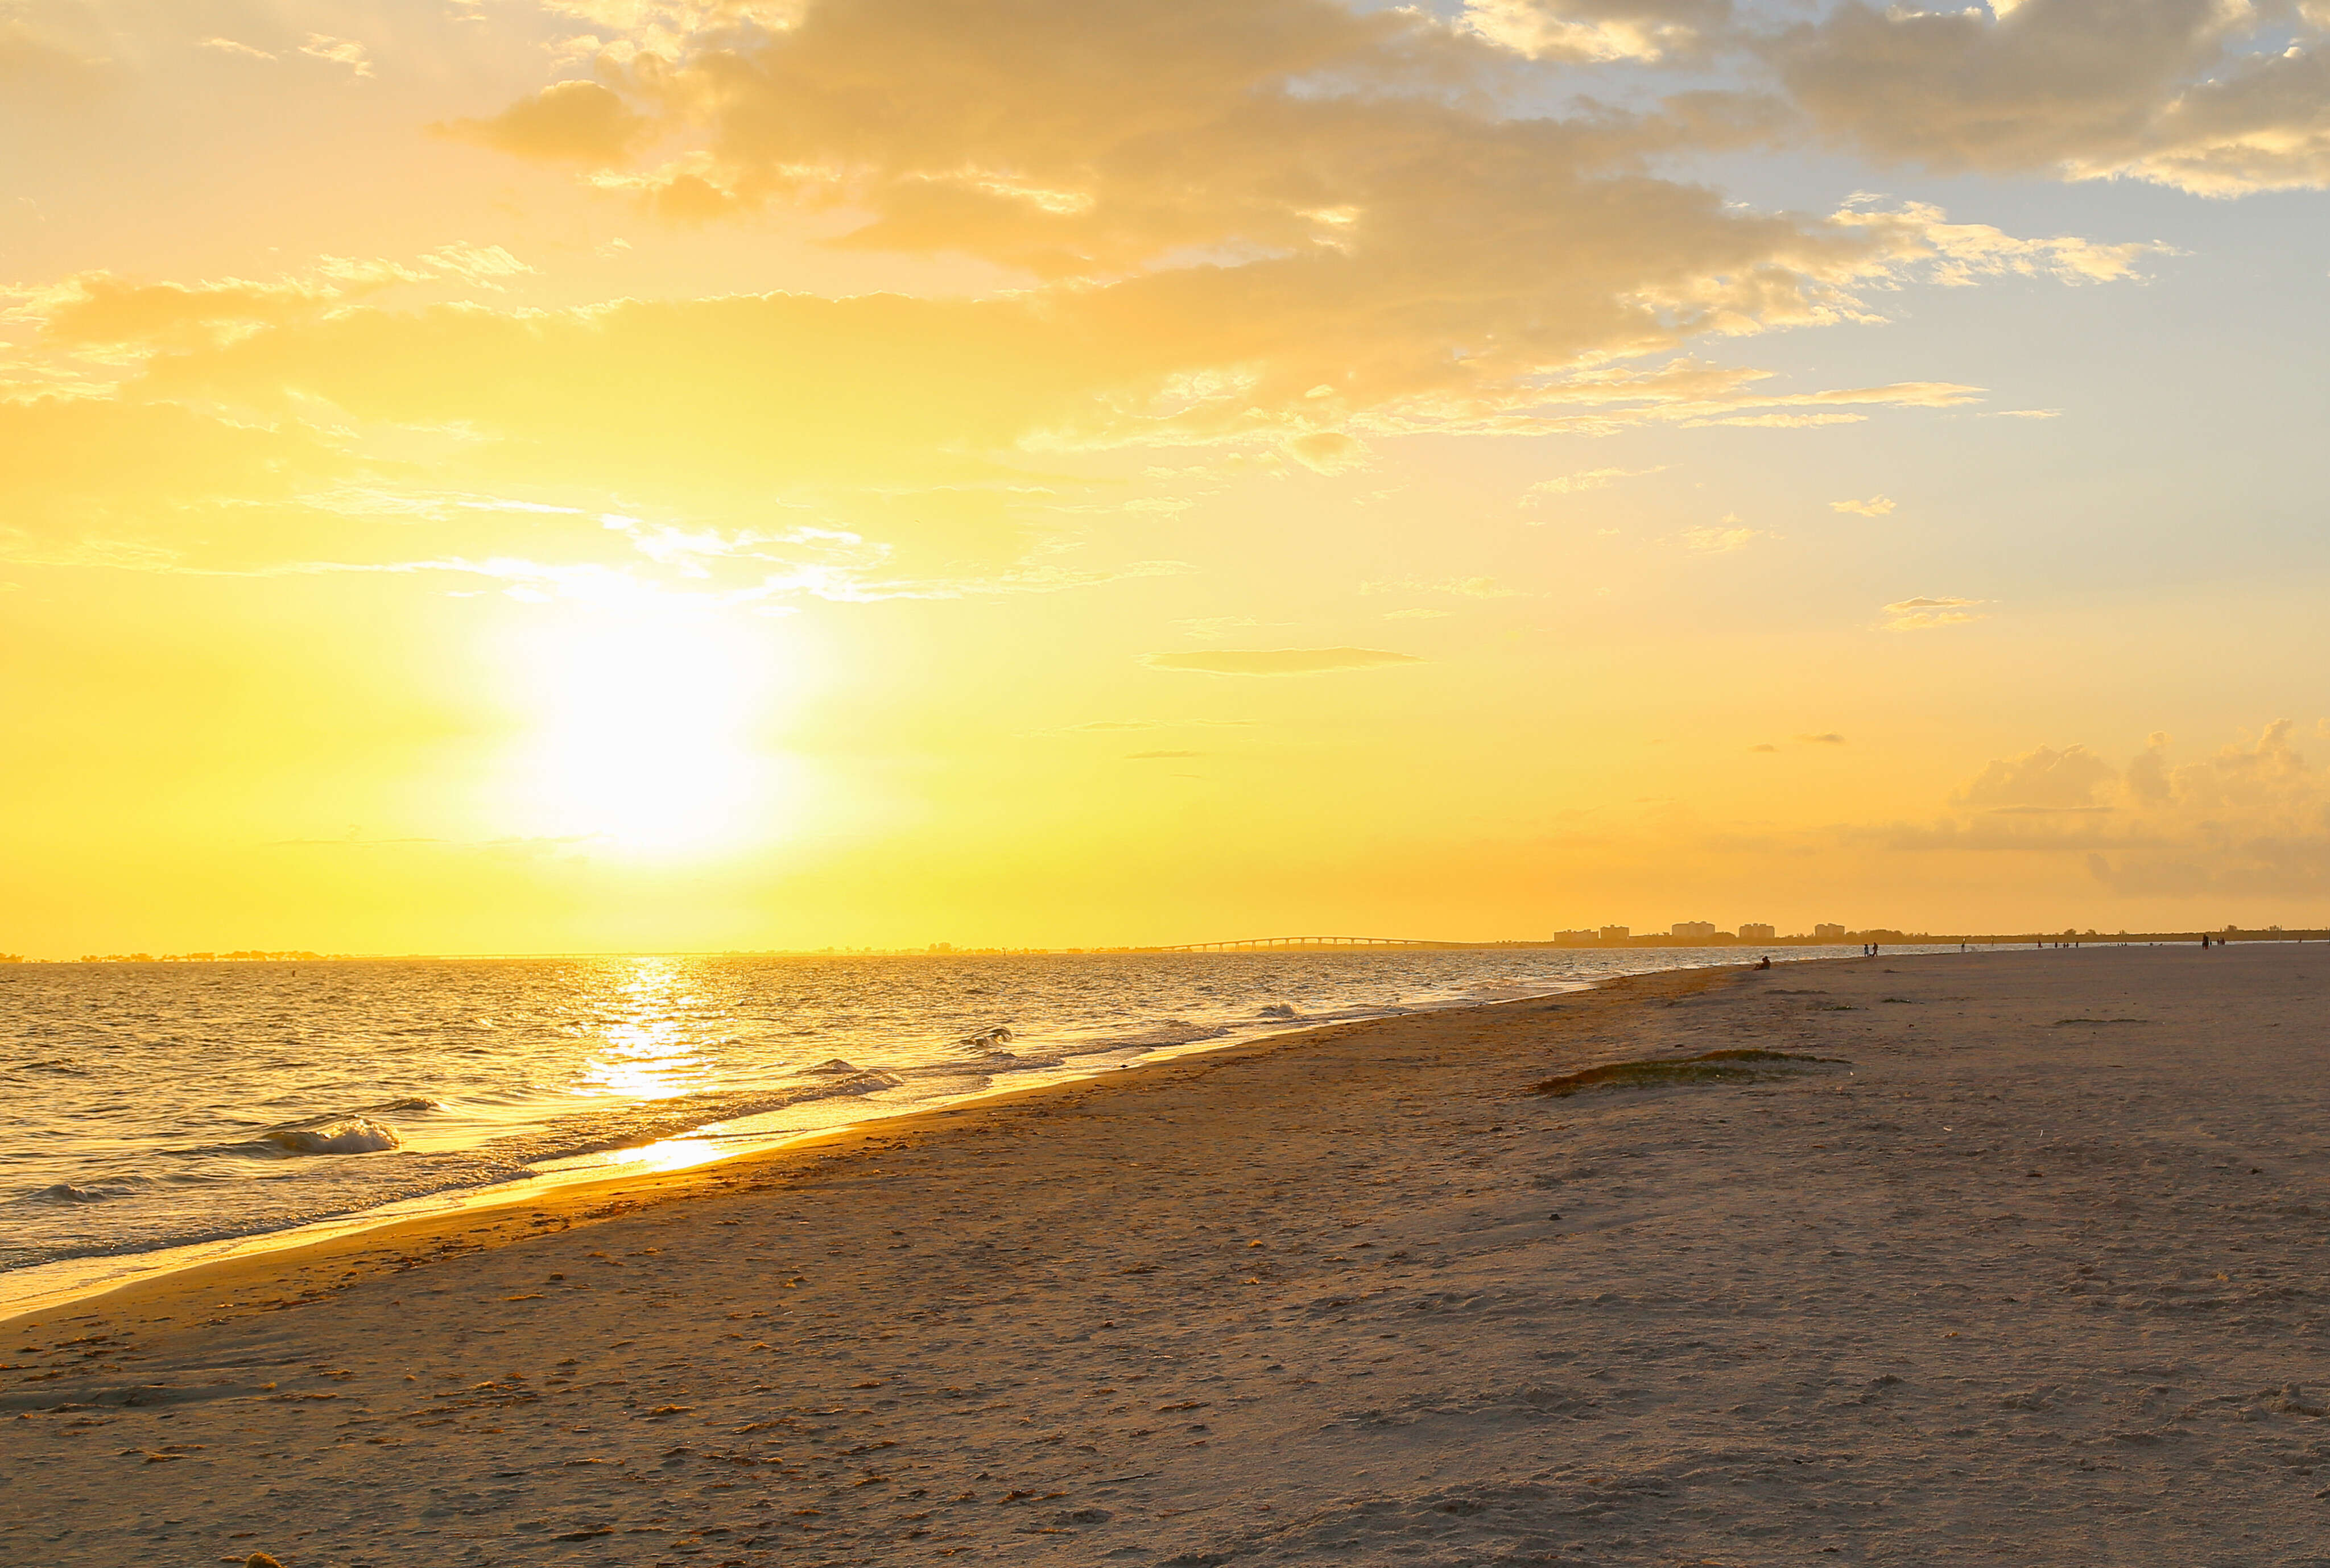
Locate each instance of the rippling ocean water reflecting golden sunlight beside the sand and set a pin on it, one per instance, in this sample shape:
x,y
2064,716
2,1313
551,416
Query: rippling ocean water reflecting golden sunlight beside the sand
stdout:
x,y
160,1115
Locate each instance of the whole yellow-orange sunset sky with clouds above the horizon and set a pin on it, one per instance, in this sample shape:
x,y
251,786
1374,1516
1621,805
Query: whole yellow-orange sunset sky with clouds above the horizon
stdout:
x,y
493,476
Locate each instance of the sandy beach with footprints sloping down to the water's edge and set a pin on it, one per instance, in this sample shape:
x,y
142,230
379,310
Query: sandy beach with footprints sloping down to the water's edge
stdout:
x,y
2026,1266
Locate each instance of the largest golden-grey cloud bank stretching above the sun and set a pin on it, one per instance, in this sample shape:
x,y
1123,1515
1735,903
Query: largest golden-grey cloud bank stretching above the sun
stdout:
x,y
1206,246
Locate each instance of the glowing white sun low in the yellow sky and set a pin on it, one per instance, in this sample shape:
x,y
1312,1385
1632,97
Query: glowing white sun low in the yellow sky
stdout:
x,y
644,726
